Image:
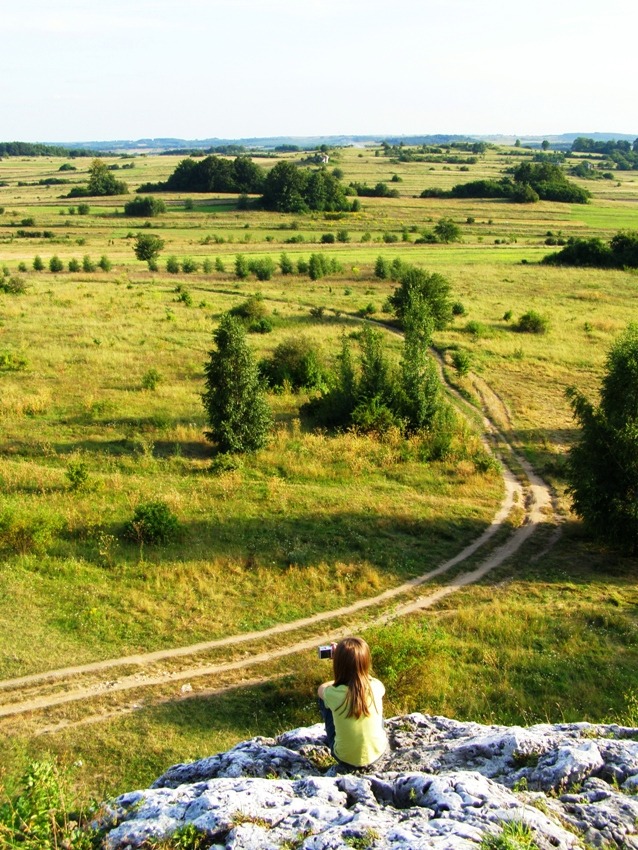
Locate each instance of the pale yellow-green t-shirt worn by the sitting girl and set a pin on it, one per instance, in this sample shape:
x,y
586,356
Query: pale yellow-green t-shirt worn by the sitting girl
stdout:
x,y
358,740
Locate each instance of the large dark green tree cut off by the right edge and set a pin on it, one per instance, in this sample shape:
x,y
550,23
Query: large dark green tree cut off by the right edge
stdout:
x,y
603,462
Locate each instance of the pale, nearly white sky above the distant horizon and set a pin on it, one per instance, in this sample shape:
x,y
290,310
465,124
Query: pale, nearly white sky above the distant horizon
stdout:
x,y
82,70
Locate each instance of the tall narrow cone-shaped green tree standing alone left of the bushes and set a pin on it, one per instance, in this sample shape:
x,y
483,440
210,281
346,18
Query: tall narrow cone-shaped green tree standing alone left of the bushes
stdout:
x,y
235,402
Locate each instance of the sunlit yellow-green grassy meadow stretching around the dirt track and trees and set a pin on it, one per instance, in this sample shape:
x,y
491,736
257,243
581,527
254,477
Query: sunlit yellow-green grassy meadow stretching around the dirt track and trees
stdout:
x,y
314,520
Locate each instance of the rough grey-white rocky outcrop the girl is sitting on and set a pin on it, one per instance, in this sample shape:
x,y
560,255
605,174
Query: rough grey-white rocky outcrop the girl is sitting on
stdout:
x,y
443,785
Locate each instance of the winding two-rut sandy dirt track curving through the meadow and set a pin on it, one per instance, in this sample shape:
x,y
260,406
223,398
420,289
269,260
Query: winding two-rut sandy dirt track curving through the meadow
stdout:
x,y
37,695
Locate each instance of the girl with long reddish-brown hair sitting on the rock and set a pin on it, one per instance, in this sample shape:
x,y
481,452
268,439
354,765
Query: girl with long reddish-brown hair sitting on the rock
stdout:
x,y
352,706
